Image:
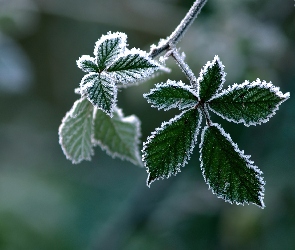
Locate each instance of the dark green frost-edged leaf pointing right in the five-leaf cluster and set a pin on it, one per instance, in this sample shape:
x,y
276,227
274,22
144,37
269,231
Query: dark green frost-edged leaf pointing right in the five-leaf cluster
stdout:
x,y
248,103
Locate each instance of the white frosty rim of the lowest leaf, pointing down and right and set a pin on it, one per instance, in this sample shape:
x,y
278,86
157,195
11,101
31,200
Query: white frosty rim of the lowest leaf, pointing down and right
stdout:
x,y
241,154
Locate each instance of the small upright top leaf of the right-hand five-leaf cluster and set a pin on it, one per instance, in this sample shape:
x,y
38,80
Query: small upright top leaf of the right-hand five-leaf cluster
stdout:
x,y
211,79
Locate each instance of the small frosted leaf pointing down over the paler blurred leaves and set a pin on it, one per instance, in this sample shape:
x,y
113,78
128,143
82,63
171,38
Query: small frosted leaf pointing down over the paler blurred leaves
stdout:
x,y
100,91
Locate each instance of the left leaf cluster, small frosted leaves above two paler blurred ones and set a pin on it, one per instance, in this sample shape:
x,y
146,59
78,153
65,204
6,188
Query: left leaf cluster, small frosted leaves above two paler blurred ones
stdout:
x,y
102,123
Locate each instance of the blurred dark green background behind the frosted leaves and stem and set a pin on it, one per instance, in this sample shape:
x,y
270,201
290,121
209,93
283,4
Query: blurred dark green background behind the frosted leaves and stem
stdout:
x,y
48,203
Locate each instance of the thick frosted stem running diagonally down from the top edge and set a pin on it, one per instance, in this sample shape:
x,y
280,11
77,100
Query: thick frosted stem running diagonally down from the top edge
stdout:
x,y
178,33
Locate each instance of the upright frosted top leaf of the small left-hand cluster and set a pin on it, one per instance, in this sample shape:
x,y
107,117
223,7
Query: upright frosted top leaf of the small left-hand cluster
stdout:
x,y
108,48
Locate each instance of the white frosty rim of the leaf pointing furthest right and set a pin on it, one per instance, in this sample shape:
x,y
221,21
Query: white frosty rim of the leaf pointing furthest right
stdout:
x,y
247,84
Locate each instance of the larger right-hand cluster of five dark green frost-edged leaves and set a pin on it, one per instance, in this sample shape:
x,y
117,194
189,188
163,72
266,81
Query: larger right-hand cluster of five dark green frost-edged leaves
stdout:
x,y
229,173
